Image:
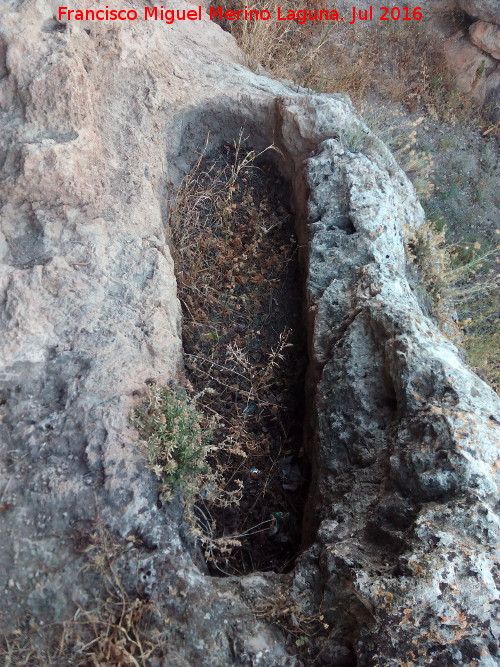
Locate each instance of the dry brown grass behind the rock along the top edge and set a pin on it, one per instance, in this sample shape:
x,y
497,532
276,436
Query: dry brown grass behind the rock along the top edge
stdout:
x,y
398,60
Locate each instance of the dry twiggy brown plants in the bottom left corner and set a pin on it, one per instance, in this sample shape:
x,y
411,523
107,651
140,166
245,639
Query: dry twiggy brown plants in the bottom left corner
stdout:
x,y
121,629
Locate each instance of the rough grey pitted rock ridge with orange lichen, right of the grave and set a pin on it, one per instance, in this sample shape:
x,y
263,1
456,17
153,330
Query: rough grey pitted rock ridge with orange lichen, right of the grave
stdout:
x,y
404,500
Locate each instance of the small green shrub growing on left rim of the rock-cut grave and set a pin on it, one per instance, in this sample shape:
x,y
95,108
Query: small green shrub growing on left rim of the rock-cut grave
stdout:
x,y
176,439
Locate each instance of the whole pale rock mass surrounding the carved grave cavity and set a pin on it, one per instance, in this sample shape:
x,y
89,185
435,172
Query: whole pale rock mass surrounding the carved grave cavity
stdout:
x,y
98,123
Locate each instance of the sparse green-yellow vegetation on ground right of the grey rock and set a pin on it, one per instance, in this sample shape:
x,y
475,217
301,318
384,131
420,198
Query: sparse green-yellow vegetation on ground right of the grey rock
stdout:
x,y
456,252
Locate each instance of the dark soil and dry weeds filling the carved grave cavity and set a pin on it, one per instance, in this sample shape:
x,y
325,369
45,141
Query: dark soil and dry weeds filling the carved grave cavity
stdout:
x,y
244,341
